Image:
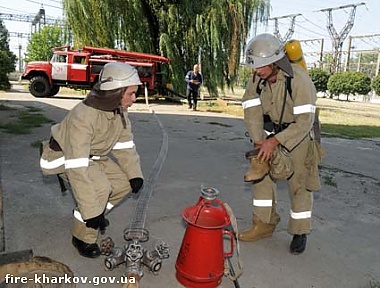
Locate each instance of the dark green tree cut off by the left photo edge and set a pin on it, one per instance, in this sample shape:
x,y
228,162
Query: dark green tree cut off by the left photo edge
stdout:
x,y
7,58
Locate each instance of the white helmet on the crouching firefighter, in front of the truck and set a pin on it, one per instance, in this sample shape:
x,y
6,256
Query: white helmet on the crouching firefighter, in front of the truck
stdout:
x,y
116,75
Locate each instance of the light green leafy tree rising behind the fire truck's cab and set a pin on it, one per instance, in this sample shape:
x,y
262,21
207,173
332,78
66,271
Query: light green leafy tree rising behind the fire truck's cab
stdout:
x,y
41,43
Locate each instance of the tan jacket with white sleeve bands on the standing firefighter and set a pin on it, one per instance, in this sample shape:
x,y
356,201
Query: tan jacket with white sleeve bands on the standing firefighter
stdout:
x,y
299,108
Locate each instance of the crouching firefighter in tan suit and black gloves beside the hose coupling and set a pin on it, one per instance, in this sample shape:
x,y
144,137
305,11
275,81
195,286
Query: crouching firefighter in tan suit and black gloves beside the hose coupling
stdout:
x,y
79,150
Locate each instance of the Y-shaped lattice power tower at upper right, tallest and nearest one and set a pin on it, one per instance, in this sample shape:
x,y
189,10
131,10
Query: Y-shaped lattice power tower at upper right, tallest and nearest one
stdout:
x,y
338,39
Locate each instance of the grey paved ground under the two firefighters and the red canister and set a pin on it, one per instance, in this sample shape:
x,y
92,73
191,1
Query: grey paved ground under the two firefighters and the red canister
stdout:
x,y
204,149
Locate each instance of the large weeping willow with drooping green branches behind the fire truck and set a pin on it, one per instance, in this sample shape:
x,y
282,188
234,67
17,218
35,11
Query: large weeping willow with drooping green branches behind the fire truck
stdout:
x,y
211,32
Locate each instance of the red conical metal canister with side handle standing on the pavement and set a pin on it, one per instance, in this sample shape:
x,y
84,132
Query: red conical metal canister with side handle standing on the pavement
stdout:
x,y
200,262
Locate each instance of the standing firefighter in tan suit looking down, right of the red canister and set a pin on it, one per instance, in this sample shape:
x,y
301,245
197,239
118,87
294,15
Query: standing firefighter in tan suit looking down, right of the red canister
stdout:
x,y
281,98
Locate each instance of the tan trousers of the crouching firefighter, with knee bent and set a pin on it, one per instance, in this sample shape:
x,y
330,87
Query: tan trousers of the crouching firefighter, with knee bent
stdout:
x,y
112,185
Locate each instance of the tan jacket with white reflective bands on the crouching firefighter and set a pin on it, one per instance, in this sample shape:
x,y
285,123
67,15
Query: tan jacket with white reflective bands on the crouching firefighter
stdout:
x,y
87,133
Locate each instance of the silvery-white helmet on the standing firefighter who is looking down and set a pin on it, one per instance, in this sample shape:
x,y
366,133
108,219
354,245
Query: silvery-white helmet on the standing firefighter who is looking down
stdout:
x,y
262,50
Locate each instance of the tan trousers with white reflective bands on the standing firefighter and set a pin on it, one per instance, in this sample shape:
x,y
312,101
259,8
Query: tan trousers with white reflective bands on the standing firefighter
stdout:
x,y
301,200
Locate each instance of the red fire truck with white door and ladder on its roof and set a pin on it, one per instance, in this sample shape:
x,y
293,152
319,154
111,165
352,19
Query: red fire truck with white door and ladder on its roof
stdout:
x,y
79,69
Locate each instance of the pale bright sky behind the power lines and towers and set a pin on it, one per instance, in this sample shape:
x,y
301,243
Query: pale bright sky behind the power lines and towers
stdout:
x,y
311,24
